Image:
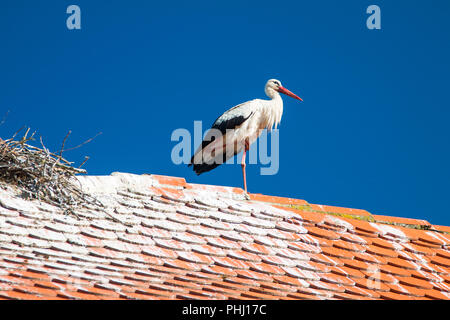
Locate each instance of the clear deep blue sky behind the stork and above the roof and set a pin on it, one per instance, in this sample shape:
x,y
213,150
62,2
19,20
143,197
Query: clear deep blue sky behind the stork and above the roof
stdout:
x,y
372,133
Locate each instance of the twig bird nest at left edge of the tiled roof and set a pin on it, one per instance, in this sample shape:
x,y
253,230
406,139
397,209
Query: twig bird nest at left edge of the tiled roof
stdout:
x,y
41,174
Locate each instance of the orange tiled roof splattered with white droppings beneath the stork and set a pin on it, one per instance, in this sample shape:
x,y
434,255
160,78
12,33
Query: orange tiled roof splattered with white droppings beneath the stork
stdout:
x,y
159,237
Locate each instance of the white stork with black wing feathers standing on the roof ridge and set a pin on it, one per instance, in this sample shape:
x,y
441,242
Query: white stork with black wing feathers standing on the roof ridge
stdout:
x,y
238,128
